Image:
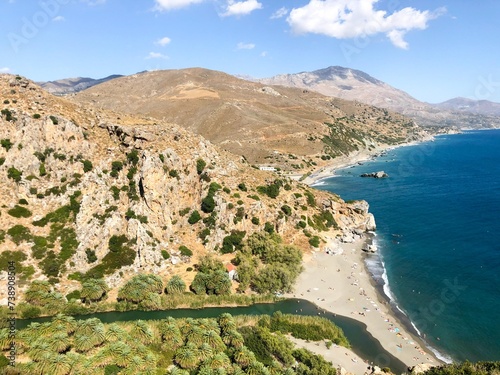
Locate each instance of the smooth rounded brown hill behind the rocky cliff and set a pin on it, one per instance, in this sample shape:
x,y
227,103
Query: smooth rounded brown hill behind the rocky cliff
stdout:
x,y
293,129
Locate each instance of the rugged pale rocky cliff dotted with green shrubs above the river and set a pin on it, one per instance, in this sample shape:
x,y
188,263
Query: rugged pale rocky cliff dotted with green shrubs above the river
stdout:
x,y
75,179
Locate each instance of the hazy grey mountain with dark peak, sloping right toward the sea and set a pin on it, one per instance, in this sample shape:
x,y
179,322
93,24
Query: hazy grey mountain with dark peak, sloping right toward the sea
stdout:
x,y
356,85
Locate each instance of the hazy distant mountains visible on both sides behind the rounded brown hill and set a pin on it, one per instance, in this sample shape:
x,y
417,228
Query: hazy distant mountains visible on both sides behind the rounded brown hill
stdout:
x,y
351,84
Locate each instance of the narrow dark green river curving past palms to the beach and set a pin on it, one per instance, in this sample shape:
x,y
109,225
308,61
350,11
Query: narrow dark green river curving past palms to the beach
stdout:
x,y
362,342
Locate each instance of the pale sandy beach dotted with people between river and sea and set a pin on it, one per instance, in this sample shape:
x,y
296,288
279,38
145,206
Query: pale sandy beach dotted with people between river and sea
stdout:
x,y
341,284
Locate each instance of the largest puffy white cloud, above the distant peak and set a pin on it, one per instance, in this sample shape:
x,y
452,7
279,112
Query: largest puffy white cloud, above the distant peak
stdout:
x,y
358,18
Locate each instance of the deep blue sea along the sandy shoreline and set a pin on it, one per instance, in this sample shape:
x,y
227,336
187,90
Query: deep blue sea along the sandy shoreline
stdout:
x,y
438,231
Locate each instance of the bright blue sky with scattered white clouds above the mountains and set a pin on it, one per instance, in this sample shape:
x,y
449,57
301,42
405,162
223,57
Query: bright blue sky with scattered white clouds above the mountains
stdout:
x,y
434,50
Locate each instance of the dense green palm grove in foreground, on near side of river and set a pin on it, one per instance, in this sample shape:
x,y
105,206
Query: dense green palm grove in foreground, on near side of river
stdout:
x,y
226,345
